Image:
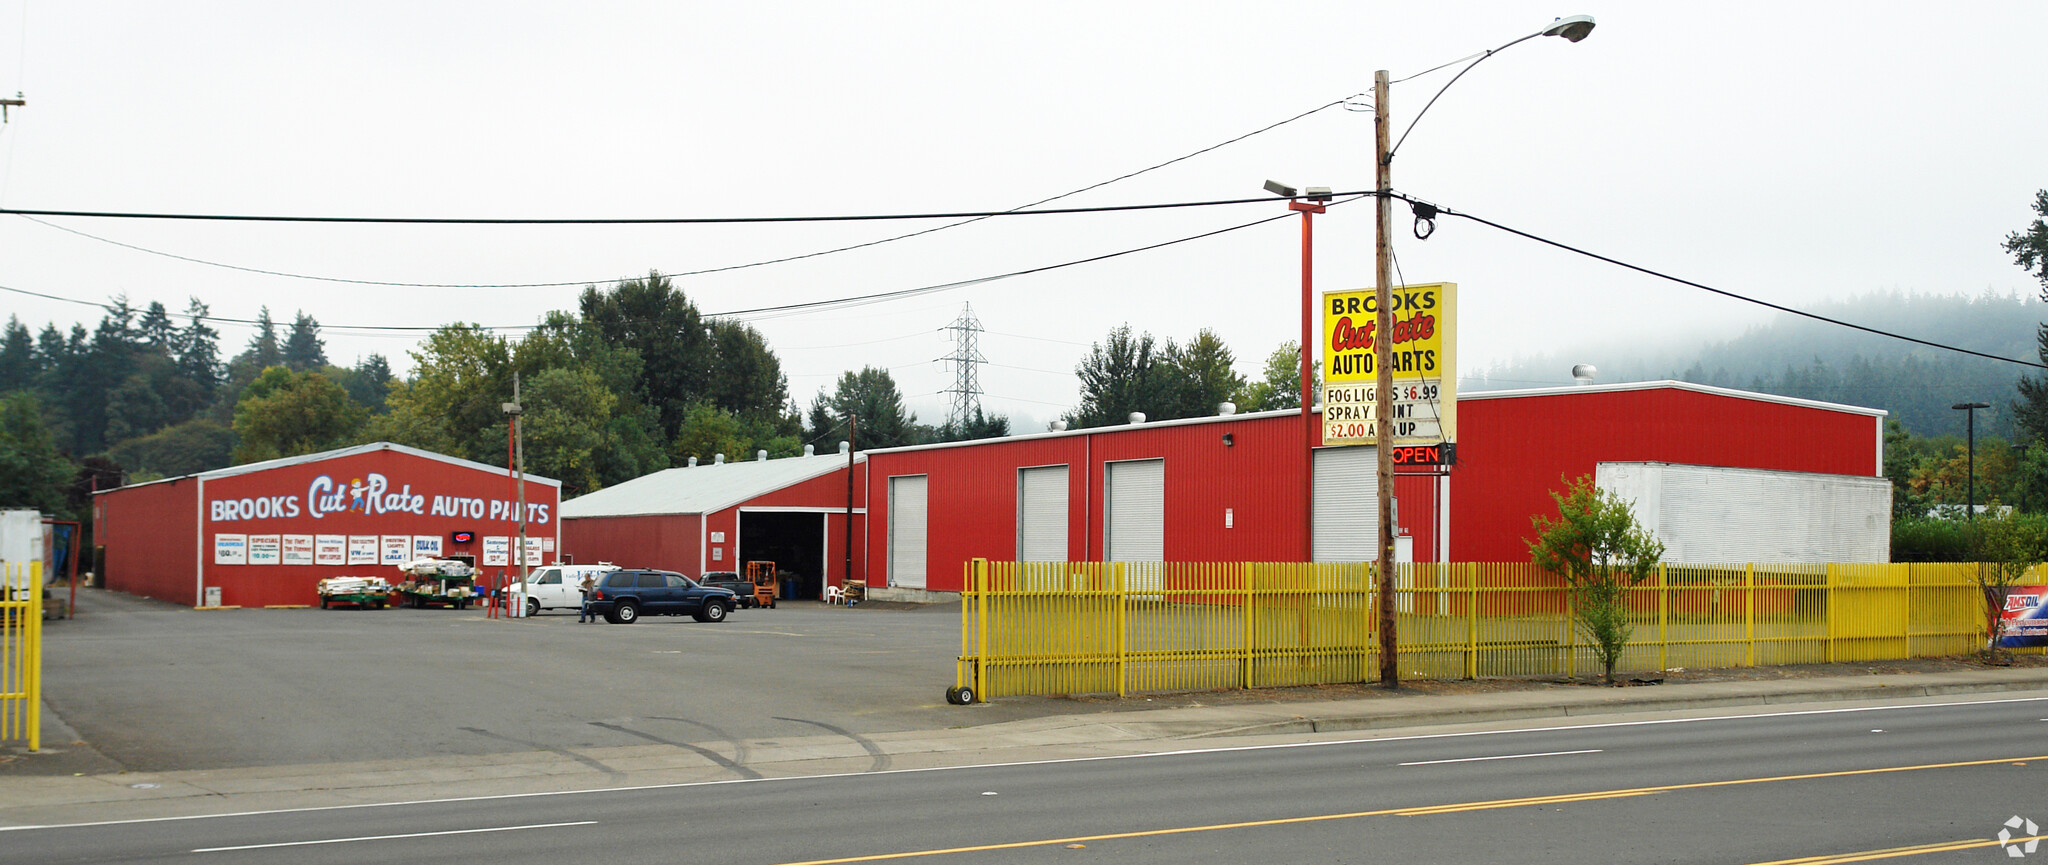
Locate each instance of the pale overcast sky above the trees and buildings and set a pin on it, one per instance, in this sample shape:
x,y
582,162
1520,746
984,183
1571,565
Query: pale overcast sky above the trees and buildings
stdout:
x,y
1793,153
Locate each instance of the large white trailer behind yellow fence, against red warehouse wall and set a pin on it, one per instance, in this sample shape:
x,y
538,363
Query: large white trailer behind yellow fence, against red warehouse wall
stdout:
x,y
1721,516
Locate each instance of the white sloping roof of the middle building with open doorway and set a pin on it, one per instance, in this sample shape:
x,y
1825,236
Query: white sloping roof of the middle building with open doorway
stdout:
x,y
701,489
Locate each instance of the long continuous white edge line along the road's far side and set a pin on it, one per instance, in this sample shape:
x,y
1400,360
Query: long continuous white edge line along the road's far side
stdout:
x,y
1029,764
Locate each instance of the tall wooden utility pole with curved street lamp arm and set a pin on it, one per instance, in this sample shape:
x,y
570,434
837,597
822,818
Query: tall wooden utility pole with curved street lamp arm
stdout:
x,y
1383,155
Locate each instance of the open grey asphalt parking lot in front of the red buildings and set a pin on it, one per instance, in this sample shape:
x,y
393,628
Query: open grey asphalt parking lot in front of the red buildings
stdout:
x,y
161,688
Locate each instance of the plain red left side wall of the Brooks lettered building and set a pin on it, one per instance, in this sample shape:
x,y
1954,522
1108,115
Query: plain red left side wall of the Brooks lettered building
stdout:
x,y
153,540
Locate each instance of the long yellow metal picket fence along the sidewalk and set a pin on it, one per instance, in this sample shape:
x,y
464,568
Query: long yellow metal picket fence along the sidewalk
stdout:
x,y
1054,628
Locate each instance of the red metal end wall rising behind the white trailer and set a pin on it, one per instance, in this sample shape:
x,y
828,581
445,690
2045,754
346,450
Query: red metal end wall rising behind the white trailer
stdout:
x,y
1514,450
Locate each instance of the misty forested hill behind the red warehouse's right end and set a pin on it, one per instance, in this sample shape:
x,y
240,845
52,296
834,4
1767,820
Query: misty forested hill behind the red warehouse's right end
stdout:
x,y
1824,362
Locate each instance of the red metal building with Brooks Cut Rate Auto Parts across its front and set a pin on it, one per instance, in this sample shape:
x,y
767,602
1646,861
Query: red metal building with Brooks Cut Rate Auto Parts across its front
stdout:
x,y
267,534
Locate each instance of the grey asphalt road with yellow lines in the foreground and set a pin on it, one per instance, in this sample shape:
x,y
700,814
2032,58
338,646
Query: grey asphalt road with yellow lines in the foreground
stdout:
x,y
1932,782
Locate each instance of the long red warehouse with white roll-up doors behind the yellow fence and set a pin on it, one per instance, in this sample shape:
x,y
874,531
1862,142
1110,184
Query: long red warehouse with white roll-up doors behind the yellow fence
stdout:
x,y
1240,487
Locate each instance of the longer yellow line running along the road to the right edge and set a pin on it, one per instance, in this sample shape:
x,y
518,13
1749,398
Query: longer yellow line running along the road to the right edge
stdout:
x,y
1422,811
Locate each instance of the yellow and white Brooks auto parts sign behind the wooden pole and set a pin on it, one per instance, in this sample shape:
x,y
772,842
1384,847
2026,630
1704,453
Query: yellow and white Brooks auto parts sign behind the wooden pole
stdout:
x,y
1424,347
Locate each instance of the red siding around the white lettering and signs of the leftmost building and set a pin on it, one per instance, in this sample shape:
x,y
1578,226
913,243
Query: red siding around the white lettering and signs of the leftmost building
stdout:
x,y
417,493
